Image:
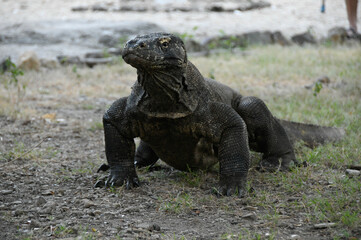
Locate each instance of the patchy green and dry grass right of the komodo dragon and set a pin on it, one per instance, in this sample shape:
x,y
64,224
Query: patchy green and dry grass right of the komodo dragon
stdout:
x,y
278,75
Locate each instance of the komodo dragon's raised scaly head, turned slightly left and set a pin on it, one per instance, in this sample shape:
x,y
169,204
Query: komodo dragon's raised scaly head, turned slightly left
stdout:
x,y
156,51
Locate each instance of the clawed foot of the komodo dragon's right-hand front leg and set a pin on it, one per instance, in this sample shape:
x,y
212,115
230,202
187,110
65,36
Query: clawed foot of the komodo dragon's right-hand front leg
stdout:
x,y
234,185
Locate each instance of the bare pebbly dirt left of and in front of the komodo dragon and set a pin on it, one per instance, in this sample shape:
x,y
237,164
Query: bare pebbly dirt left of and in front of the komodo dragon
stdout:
x,y
48,193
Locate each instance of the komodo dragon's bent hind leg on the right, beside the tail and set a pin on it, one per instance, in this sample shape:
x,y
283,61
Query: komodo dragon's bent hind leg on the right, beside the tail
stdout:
x,y
266,135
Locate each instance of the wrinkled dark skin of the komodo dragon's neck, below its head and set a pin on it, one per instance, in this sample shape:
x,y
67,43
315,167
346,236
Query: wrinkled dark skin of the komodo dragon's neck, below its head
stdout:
x,y
166,93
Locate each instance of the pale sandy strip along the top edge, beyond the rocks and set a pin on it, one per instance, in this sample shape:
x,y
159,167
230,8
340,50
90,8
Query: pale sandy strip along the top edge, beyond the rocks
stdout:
x,y
290,17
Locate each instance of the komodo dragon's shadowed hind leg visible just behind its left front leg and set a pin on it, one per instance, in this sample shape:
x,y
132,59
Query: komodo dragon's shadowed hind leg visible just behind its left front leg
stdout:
x,y
145,156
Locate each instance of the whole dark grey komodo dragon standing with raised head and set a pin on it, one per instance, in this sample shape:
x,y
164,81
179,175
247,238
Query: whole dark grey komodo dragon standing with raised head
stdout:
x,y
192,122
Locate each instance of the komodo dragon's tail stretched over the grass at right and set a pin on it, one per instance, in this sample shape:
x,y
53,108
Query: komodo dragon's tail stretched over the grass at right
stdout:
x,y
311,134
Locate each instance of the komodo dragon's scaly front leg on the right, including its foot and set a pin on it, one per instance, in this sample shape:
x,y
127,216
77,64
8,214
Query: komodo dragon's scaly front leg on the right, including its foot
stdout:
x,y
233,157
